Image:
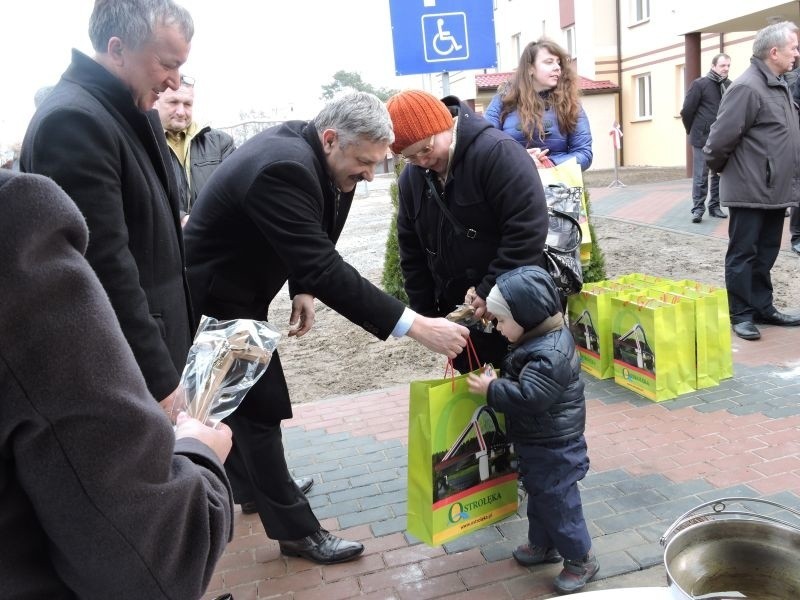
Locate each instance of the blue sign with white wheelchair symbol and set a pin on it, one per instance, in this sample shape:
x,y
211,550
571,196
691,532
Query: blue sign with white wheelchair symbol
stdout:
x,y
431,36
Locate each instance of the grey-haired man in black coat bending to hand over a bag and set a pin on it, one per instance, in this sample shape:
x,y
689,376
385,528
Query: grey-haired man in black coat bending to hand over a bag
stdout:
x,y
273,212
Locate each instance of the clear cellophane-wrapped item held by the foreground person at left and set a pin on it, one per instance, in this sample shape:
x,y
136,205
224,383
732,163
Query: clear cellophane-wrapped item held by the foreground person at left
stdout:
x,y
226,359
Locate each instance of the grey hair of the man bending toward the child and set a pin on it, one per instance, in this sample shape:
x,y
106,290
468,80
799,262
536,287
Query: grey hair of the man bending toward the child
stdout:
x,y
356,115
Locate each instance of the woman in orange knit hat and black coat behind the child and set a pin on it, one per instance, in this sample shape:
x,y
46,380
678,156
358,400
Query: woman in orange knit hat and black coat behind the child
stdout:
x,y
470,209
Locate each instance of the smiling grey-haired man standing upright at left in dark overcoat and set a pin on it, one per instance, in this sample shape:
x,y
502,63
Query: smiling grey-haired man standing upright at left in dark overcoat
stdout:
x,y
96,136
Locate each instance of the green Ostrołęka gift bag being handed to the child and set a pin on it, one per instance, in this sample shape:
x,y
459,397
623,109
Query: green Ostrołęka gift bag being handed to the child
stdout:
x,y
461,469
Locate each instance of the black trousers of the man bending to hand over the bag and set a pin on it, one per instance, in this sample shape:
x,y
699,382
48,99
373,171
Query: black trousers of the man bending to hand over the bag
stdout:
x,y
258,472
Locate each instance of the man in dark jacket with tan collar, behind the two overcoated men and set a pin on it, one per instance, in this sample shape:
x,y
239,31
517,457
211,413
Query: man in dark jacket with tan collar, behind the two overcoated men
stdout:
x,y
195,151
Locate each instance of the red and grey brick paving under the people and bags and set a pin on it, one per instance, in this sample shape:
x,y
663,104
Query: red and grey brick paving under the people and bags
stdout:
x,y
650,463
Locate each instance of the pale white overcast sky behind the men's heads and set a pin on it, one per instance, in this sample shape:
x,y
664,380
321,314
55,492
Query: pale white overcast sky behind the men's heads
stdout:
x,y
263,55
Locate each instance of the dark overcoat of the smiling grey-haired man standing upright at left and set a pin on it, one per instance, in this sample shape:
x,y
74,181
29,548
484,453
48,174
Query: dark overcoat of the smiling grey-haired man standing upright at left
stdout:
x,y
112,160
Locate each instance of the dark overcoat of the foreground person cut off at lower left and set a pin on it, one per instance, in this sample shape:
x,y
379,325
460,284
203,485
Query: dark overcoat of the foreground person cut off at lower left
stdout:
x,y
97,498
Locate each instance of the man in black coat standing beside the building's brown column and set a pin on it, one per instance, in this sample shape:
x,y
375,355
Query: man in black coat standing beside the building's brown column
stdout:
x,y
699,111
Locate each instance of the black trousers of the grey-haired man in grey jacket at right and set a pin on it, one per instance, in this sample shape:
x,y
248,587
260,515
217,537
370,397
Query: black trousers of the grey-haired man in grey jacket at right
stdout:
x,y
754,242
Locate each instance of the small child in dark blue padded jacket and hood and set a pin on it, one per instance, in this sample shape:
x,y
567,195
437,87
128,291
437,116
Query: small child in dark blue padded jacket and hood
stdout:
x,y
541,395
